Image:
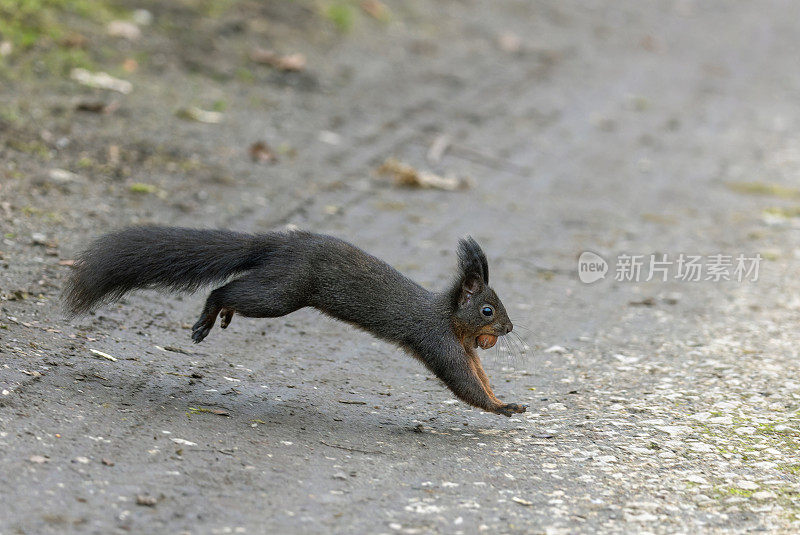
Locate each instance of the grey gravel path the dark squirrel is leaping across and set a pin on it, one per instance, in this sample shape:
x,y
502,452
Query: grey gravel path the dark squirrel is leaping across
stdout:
x,y
619,128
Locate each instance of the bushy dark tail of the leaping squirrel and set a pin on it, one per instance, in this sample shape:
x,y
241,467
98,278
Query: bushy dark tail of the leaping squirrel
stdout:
x,y
178,259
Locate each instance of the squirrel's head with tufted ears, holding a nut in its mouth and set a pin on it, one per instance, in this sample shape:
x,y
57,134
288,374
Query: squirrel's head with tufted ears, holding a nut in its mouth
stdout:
x,y
479,316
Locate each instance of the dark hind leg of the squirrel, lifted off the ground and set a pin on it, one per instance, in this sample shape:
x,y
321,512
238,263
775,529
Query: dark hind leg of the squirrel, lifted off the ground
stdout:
x,y
251,296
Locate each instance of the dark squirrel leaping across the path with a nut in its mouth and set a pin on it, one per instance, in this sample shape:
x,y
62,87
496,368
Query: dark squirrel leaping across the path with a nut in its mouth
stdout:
x,y
275,273
